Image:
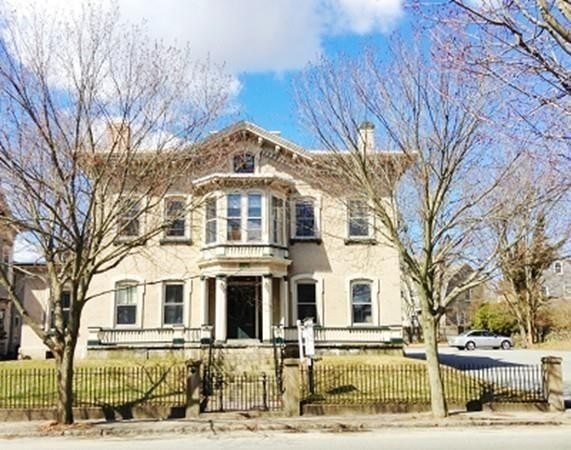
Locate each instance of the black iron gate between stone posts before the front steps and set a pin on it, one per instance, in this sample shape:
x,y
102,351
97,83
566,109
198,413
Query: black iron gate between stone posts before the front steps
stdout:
x,y
248,392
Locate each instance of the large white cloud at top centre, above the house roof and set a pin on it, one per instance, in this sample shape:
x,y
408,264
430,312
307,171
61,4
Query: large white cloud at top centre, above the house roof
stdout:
x,y
253,35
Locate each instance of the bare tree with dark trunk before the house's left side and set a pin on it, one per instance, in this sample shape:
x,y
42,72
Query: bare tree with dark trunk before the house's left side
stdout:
x,y
98,123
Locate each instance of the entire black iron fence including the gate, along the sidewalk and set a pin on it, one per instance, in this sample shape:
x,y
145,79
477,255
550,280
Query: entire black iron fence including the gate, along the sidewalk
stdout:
x,y
117,387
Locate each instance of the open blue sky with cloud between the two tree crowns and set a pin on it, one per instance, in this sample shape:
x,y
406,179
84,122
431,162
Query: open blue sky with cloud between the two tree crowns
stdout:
x,y
263,44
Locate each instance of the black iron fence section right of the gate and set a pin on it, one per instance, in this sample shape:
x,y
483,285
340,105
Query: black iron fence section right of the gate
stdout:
x,y
409,384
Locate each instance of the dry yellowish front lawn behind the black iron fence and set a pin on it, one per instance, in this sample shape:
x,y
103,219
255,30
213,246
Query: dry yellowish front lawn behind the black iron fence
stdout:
x,y
346,379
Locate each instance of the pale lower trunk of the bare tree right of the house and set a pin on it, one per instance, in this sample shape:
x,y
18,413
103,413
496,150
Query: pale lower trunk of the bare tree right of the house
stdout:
x,y
437,399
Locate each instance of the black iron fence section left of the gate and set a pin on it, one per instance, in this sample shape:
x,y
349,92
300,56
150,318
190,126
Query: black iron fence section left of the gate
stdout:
x,y
99,386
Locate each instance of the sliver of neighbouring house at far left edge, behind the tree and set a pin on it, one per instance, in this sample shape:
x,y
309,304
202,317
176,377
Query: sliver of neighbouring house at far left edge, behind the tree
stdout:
x,y
9,321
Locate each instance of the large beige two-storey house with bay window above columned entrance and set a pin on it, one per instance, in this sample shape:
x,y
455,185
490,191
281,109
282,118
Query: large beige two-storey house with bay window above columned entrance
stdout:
x,y
268,244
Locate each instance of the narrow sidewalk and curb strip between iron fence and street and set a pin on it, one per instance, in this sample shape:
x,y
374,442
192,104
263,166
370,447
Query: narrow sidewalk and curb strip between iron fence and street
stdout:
x,y
214,427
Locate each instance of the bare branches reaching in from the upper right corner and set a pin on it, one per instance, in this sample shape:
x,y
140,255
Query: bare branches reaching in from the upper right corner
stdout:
x,y
526,46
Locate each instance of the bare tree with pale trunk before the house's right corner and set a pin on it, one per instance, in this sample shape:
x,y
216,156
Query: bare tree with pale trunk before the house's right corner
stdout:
x,y
436,121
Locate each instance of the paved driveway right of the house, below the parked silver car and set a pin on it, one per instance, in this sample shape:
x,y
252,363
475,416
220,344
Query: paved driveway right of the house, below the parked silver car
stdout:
x,y
479,357
